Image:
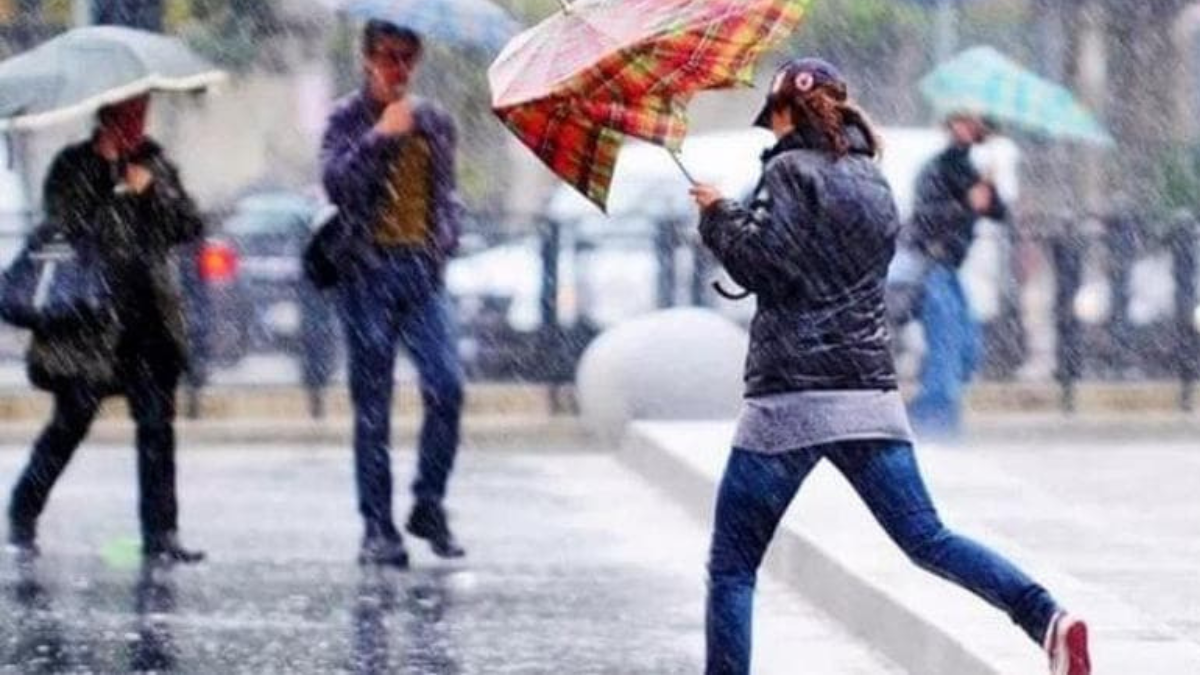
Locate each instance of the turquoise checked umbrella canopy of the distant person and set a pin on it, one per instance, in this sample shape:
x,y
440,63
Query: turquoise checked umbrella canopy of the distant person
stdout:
x,y
986,82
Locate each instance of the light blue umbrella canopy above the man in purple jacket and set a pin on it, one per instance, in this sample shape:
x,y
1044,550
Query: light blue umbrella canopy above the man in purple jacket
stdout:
x,y
465,23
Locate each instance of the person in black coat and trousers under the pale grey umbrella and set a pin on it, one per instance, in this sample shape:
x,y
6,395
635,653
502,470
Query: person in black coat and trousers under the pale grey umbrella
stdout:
x,y
122,195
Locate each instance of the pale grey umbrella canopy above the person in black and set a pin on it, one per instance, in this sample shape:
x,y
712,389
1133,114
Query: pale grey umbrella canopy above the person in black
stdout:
x,y
85,69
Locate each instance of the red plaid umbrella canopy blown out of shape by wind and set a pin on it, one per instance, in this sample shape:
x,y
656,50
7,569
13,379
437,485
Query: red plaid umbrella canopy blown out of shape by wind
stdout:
x,y
573,86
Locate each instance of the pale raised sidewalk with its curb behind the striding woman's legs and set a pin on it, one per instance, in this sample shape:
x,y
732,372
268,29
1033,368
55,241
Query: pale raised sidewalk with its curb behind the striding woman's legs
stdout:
x,y
1111,529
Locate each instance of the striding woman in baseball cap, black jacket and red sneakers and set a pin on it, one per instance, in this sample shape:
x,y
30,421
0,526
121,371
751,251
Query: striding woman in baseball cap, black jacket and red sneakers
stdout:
x,y
814,247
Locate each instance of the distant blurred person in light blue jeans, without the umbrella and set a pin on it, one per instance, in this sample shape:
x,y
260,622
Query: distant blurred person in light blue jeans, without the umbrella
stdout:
x,y
951,198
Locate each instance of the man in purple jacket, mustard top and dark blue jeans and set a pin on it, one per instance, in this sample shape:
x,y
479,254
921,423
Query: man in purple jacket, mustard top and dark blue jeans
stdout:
x,y
388,163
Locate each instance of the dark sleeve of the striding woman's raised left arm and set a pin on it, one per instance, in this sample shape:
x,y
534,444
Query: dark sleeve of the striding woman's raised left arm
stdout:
x,y
757,244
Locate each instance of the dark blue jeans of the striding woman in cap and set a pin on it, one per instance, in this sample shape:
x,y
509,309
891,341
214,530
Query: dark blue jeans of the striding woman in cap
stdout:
x,y
755,493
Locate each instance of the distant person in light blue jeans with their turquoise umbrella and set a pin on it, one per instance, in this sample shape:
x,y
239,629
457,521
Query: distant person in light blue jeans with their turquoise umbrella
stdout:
x,y
968,92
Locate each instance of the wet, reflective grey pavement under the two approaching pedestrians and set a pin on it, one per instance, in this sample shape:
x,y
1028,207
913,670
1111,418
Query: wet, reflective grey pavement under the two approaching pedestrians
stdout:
x,y
574,566
